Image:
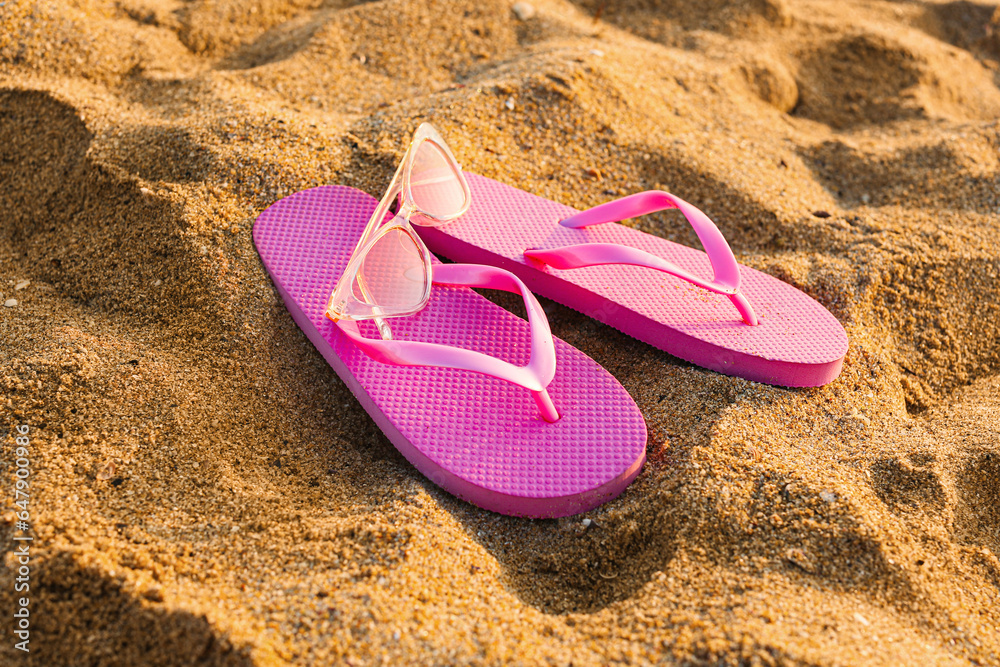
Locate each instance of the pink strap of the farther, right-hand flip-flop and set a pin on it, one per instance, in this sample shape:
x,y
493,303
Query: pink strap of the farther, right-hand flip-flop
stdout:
x,y
727,273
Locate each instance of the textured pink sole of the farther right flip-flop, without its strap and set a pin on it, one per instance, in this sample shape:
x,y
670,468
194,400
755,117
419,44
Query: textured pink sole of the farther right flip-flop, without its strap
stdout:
x,y
798,342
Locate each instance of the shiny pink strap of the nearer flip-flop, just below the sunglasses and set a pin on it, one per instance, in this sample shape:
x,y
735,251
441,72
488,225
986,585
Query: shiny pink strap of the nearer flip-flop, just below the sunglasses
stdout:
x,y
535,376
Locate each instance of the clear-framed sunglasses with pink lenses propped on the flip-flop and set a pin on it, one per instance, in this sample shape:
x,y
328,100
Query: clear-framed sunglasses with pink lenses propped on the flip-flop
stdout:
x,y
389,273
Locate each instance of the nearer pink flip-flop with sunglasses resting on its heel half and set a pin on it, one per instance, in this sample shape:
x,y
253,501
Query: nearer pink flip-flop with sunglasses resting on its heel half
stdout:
x,y
481,438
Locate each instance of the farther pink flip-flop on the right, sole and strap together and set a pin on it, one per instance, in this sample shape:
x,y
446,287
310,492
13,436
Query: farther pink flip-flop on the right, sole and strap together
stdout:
x,y
742,322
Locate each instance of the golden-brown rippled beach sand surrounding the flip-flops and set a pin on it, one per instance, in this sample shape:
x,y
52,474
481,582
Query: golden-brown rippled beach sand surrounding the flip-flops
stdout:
x,y
204,490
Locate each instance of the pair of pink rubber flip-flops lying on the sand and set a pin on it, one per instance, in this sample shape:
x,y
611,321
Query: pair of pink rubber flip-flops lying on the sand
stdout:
x,y
468,423
